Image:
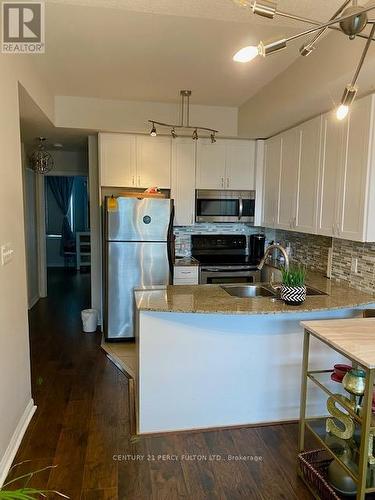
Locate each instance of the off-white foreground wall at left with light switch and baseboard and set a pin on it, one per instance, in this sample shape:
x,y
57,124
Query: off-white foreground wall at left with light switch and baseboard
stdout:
x,y
16,405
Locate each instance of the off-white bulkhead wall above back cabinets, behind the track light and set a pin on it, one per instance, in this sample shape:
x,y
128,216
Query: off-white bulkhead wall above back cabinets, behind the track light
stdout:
x,y
132,116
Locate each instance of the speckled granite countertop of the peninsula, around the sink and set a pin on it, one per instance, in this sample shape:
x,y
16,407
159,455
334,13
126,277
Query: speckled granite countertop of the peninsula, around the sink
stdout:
x,y
213,299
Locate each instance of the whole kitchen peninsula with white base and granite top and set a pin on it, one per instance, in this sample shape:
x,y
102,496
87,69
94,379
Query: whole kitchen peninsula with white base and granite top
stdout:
x,y
209,359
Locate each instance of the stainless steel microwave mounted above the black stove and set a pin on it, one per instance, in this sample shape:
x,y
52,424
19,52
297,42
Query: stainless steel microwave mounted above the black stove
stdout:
x,y
224,206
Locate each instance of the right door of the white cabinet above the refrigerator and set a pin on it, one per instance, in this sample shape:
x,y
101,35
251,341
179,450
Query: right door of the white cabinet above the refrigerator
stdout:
x,y
154,156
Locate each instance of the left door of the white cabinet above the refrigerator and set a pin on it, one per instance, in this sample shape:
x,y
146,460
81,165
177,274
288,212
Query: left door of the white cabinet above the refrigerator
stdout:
x,y
117,160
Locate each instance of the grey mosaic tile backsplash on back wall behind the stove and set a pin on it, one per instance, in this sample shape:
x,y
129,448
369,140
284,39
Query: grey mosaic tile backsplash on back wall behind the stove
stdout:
x,y
183,233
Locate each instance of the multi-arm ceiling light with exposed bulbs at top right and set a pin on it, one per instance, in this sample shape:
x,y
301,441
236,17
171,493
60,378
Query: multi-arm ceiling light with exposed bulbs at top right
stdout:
x,y
351,20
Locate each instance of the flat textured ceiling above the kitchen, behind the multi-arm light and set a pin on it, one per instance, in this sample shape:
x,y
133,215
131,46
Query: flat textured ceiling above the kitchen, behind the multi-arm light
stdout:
x,y
149,49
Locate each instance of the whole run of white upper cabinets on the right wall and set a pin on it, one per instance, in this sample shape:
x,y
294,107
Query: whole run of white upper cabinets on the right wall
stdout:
x,y
327,176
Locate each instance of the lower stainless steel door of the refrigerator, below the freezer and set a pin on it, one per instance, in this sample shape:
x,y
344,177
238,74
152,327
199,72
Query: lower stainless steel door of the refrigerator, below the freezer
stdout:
x,y
130,265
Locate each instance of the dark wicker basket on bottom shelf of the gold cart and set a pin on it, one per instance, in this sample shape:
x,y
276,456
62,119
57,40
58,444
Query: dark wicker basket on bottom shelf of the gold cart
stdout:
x,y
314,466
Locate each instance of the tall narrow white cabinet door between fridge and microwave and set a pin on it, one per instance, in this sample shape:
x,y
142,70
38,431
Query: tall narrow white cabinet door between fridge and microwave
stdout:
x,y
183,180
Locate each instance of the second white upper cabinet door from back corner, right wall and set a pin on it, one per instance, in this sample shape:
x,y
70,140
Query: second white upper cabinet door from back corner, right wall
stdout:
x,y
288,179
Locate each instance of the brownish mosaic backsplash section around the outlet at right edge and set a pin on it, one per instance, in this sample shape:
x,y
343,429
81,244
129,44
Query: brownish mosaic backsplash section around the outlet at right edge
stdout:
x,y
344,252
